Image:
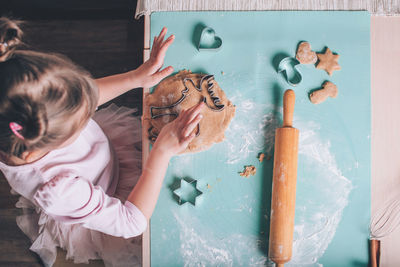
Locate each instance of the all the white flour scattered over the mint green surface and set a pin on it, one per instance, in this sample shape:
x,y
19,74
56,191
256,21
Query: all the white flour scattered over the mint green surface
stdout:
x,y
320,202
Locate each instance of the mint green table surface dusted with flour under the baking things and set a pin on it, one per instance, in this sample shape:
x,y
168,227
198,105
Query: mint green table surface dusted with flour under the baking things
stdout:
x,y
230,223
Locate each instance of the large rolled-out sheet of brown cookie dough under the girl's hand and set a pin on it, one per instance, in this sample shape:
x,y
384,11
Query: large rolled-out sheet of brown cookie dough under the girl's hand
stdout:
x,y
183,91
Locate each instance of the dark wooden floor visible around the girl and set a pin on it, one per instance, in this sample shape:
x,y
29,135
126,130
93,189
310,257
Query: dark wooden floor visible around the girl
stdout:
x,y
100,35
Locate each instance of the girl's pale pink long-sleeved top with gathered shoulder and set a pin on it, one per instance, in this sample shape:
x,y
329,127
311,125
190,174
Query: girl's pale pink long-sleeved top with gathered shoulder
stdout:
x,y
75,184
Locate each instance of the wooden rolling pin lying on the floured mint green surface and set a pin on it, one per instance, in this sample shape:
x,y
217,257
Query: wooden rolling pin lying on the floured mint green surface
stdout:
x,y
284,185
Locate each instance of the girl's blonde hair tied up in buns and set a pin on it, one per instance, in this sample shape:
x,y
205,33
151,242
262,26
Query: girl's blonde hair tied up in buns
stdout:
x,y
41,93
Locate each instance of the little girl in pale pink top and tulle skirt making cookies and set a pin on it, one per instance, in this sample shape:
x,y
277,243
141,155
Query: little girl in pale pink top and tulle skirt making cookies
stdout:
x,y
75,167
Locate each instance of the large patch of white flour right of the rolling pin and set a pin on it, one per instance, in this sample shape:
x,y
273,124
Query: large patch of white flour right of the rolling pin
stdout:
x,y
321,198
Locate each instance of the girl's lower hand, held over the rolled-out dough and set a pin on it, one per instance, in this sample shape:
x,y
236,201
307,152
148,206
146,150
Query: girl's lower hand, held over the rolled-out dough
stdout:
x,y
176,135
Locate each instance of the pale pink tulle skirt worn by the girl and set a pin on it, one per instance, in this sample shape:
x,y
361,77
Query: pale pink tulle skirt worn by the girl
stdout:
x,y
82,244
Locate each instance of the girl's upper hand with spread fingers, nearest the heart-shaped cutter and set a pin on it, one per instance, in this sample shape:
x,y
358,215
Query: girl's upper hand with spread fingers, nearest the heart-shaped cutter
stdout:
x,y
150,72
